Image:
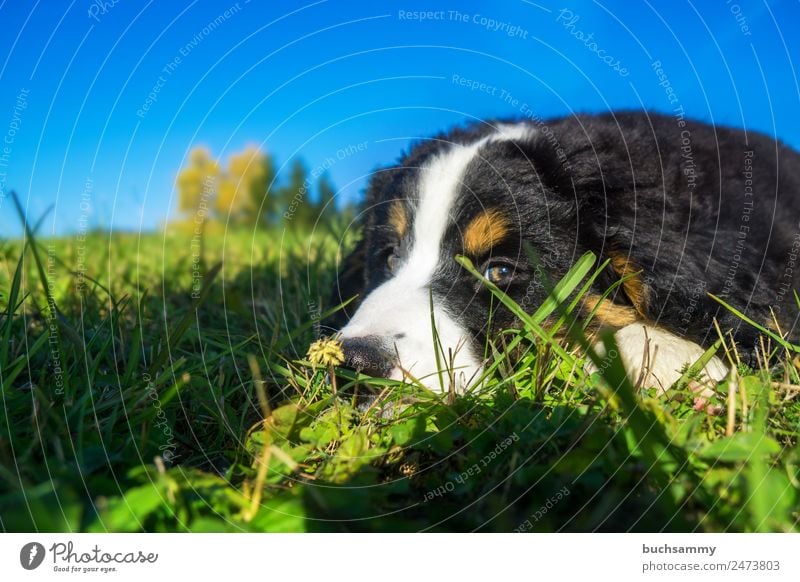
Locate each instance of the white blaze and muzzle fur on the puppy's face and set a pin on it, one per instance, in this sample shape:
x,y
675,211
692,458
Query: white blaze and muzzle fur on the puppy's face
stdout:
x,y
398,311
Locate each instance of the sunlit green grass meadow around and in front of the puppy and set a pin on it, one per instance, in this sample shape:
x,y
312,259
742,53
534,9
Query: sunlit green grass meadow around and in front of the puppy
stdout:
x,y
145,387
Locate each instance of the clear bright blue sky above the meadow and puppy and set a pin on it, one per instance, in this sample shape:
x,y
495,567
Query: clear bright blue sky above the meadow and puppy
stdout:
x,y
101,101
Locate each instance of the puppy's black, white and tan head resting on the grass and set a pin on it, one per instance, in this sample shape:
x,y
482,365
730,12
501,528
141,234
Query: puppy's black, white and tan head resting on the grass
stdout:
x,y
483,193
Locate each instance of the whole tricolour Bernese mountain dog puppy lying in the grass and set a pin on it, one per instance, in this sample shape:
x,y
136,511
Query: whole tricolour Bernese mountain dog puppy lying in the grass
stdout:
x,y
681,210
